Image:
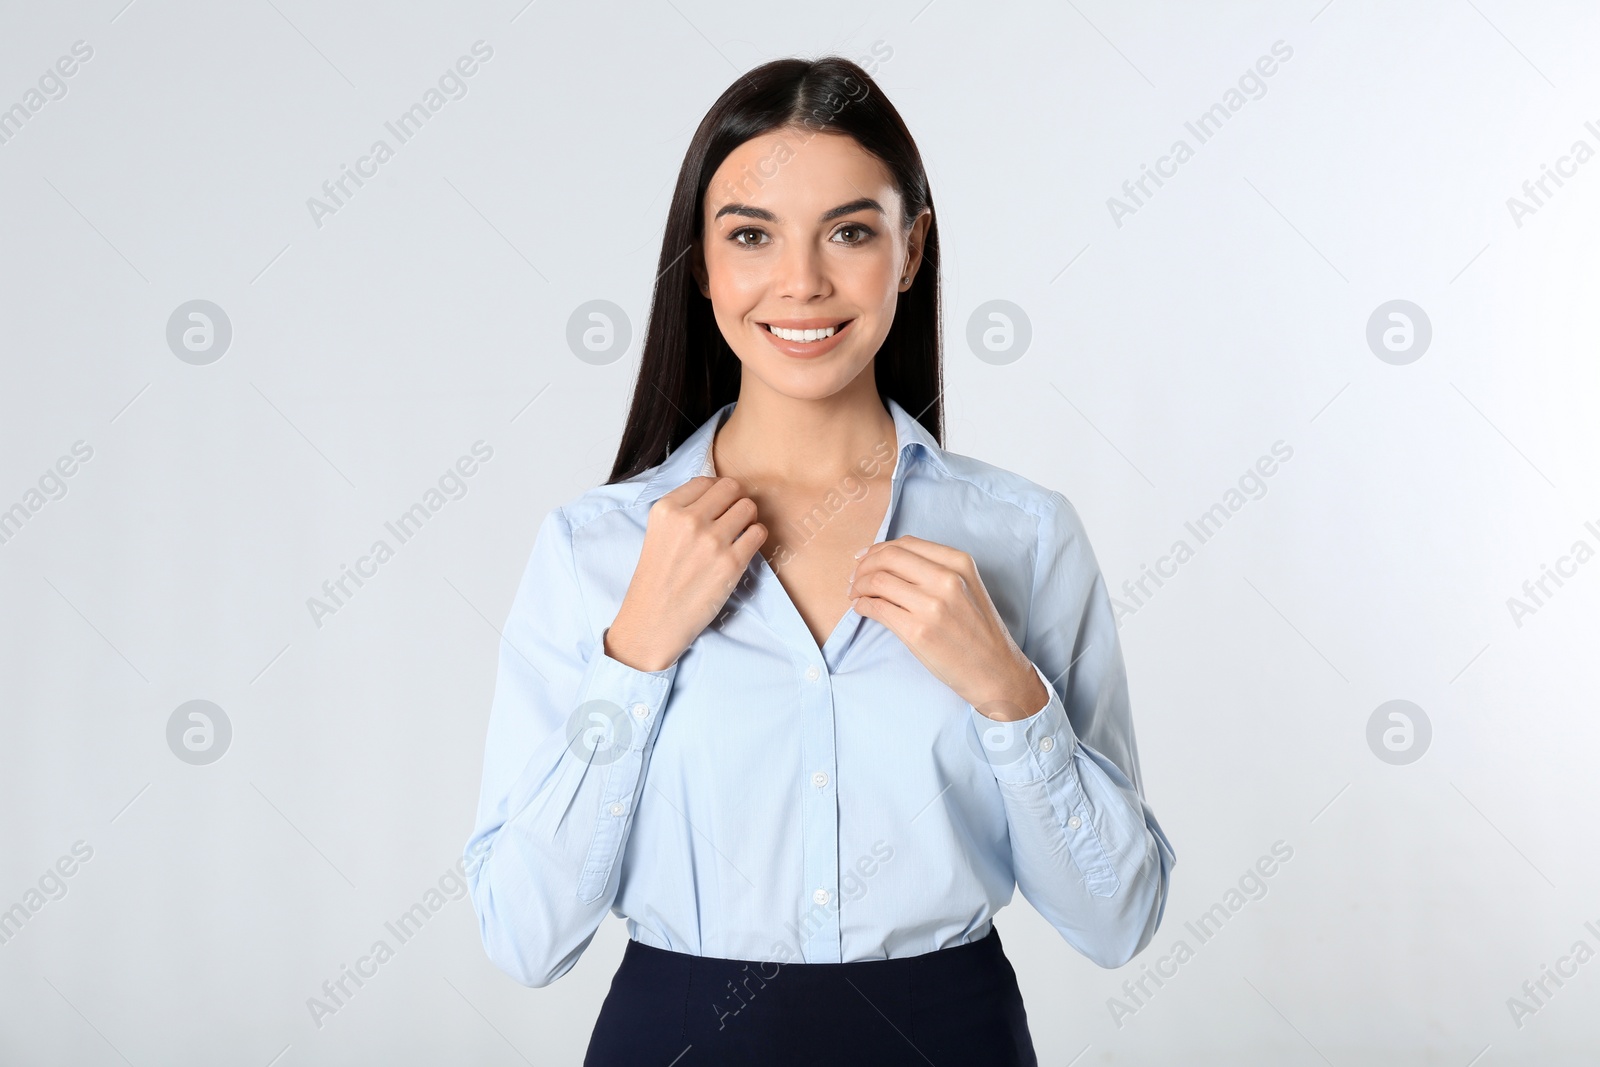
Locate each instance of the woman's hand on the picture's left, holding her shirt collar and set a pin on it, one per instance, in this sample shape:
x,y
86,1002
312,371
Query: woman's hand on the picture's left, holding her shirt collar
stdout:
x,y
698,541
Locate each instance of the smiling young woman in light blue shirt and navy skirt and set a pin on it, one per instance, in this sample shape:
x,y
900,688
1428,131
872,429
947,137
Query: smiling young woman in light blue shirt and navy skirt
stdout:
x,y
801,693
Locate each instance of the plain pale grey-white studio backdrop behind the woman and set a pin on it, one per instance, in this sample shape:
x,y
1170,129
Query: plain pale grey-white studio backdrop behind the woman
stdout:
x,y
431,313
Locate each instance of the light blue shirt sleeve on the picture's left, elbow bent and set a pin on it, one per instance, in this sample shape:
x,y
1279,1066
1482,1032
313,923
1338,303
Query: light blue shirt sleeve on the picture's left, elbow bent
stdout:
x,y
569,743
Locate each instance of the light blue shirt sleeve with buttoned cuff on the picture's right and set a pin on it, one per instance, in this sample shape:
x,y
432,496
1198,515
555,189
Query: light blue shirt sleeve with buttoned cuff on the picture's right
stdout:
x,y
1087,850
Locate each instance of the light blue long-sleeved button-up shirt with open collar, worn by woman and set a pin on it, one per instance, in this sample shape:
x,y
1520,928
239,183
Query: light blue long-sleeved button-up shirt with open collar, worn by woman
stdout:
x,y
766,799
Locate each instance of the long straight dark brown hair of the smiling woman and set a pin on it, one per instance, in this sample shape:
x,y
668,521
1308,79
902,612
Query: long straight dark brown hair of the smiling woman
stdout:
x,y
687,370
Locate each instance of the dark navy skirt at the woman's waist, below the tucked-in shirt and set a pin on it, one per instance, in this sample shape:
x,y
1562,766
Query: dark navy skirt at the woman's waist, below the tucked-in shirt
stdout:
x,y
951,1007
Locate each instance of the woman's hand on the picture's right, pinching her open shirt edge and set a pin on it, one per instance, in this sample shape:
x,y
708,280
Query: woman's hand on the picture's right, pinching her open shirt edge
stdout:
x,y
932,597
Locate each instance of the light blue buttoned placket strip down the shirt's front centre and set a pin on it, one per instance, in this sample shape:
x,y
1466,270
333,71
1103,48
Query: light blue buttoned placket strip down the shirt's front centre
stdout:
x,y
820,818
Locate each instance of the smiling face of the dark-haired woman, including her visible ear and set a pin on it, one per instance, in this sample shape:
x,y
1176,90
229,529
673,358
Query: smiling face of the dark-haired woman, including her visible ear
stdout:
x,y
802,231
